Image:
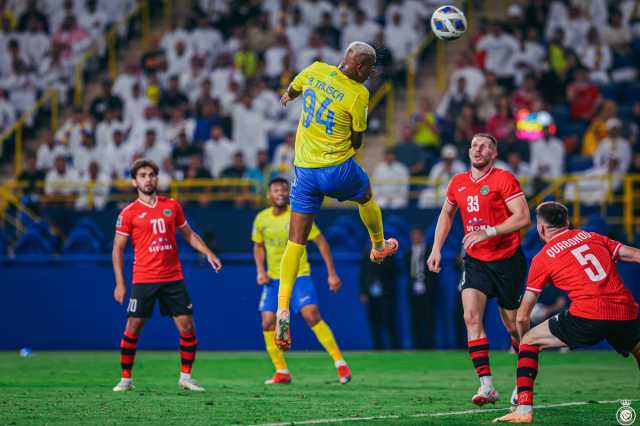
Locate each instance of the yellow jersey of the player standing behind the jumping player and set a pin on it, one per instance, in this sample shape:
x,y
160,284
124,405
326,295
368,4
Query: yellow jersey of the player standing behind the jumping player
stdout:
x,y
273,231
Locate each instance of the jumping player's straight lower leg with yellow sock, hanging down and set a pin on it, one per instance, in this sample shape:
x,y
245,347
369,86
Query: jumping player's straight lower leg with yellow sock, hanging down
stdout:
x,y
299,228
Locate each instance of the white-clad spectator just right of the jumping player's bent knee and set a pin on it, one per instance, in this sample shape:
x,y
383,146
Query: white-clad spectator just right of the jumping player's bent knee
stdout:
x,y
391,182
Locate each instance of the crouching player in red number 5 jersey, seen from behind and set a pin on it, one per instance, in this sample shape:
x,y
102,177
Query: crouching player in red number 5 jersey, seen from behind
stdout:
x,y
583,265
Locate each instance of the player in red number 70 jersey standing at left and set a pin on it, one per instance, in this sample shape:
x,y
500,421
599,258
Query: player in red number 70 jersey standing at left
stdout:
x,y
151,222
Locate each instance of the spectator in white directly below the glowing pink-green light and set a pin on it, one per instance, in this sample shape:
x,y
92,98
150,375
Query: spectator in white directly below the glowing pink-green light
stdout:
x,y
547,154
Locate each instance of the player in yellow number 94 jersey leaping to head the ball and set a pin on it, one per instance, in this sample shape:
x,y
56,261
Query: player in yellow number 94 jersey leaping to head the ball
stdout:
x,y
331,128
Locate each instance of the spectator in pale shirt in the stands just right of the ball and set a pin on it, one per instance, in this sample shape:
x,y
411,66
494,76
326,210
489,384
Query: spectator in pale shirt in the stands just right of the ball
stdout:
x,y
499,47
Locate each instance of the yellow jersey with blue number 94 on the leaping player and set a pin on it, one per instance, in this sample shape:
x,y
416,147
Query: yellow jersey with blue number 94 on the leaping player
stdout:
x,y
333,107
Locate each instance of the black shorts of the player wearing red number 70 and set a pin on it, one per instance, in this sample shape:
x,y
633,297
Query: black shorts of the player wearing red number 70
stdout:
x,y
173,297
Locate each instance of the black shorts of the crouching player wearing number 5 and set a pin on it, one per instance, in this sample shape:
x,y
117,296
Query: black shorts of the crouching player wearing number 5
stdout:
x,y
577,332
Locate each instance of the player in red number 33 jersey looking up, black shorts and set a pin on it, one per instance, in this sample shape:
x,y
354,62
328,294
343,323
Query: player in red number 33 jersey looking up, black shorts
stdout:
x,y
493,209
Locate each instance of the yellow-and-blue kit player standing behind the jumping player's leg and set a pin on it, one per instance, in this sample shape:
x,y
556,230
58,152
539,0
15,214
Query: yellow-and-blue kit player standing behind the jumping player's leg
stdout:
x,y
270,230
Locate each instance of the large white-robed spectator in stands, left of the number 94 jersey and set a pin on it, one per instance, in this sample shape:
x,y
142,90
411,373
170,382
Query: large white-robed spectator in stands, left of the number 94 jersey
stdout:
x,y
249,138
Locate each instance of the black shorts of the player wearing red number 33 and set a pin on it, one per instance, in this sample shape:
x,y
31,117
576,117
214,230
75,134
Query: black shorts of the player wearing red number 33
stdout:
x,y
503,279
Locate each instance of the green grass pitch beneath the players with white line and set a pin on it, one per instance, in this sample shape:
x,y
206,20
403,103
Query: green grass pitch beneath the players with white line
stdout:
x,y
75,388
